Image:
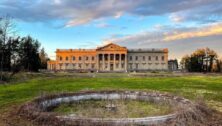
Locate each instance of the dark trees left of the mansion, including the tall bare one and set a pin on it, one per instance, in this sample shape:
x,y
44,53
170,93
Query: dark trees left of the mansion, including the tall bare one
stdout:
x,y
19,53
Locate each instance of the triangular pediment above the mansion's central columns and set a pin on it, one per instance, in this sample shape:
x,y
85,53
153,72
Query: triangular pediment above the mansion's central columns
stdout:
x,y
111,47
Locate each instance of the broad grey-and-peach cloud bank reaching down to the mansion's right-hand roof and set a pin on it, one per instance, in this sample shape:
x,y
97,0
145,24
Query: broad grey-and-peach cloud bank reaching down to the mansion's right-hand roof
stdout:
x,y
179,40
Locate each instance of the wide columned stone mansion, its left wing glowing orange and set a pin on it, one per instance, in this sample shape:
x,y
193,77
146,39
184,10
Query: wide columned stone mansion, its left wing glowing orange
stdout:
x,y
110,58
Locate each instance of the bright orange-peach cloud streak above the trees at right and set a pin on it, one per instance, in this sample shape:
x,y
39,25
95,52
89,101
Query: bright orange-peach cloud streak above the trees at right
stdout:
x,y
206,31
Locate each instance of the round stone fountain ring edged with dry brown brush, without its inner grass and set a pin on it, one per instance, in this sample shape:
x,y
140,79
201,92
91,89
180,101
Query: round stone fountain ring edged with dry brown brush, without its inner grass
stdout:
x,y
41,109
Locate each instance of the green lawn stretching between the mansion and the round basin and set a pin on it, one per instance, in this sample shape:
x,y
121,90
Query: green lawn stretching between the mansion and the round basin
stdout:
x,y
192,87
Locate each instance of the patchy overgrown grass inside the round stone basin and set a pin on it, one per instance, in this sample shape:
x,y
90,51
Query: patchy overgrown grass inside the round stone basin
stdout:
x,y
122,109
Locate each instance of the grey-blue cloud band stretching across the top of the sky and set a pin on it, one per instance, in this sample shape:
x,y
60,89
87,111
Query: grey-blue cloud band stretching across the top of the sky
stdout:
x,y
79,12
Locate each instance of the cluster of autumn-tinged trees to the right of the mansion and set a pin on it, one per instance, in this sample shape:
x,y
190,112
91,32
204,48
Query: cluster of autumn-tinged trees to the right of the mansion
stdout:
x,y
202,60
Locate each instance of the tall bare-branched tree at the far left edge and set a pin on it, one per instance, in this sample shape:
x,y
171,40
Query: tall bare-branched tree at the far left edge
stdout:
x,y
7,29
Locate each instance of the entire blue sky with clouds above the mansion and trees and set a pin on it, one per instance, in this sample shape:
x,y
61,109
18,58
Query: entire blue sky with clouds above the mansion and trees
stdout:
x,y
180,25
